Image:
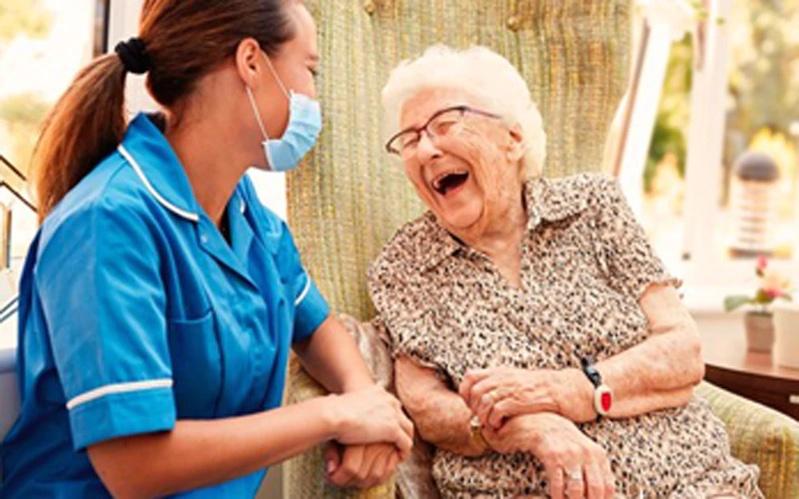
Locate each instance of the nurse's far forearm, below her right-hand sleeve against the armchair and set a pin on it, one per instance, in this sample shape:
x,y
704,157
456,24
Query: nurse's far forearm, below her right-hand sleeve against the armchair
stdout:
x,y
332,358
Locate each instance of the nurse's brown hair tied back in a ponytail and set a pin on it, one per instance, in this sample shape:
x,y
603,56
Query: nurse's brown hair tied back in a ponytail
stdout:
x,y
183,40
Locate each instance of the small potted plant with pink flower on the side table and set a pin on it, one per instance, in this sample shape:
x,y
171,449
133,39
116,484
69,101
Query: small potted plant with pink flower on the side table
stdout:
x,y
759,318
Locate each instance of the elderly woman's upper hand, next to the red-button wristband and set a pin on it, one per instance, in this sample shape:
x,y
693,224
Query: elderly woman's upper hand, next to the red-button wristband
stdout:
x,y
497,394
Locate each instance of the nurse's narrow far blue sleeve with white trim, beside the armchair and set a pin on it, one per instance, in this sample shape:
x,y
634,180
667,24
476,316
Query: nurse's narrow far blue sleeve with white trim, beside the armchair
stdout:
x,y
310,307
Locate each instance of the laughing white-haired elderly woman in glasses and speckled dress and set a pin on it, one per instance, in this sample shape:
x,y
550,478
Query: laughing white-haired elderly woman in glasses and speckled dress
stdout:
x,y
540,345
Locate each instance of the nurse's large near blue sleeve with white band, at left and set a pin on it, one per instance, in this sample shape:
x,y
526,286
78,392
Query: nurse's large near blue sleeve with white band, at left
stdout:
x,y
100,290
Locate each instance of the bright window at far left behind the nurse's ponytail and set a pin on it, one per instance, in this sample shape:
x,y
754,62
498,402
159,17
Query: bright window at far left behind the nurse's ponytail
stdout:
x,y
43,43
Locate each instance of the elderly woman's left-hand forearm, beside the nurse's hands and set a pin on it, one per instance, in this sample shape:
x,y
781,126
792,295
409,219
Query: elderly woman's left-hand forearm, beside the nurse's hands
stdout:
x,y
440,415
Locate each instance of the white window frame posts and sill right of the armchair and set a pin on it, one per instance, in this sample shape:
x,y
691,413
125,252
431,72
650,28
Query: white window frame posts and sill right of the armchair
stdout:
x,y
708,278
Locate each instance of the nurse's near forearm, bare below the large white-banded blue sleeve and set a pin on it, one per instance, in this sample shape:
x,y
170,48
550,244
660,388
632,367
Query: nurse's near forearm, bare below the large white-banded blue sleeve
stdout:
x,y
201,453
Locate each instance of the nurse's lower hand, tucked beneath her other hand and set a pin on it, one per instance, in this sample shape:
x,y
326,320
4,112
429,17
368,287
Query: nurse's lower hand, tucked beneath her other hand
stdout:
x,y
360,466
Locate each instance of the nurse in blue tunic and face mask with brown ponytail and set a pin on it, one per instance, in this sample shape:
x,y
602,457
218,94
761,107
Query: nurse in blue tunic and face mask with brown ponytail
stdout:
x,y
160,299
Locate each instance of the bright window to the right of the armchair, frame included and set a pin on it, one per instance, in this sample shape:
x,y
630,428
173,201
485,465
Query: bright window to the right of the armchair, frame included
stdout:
x,y
720,183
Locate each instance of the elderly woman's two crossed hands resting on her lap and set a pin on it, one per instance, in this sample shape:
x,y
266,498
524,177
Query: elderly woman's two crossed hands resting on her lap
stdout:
x,y
534,411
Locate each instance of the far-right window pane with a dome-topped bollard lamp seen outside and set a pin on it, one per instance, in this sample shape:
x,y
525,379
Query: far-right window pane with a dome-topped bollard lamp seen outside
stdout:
x,y
762,117
